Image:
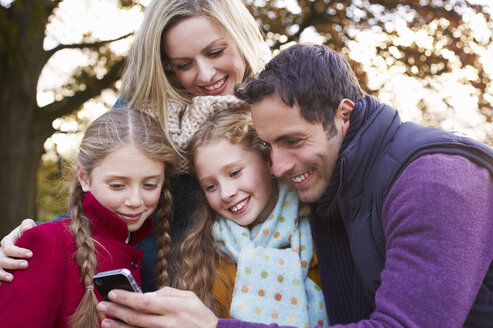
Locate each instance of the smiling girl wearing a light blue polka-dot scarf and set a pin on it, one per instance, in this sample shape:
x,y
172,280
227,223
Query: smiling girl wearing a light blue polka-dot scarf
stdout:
x,y
249,254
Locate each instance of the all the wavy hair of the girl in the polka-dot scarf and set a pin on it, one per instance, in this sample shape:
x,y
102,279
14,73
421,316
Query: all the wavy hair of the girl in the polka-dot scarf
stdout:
x,y
198,251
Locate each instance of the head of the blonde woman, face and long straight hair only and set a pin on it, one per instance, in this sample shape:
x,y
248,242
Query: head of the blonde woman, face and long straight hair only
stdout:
x,y
190,48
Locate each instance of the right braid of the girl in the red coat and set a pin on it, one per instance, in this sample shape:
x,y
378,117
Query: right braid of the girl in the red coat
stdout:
x,y
163,230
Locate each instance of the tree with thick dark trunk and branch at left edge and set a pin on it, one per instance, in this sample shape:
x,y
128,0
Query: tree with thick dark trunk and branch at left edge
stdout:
x,y
24,126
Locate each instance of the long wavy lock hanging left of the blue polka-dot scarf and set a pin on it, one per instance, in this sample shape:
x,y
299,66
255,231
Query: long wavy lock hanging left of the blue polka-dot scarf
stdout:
x,y
197,269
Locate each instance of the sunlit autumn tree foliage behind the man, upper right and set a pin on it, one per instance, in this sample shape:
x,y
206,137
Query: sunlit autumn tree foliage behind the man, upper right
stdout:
x,y
446,42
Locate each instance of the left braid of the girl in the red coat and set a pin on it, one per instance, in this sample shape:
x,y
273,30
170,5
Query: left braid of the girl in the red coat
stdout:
x,y
86,314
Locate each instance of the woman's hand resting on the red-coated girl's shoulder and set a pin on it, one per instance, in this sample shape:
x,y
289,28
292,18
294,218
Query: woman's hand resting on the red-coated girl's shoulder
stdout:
x,y
11,256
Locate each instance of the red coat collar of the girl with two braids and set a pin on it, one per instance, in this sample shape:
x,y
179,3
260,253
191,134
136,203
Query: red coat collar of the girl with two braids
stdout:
x,y
107,223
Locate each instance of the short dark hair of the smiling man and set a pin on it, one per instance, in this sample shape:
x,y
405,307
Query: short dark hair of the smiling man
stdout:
x,y
314,76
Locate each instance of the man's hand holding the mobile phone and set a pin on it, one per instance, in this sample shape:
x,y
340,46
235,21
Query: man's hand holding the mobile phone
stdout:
x,y
167,307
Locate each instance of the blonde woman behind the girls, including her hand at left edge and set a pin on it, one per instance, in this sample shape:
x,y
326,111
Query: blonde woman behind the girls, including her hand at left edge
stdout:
x,y
183,49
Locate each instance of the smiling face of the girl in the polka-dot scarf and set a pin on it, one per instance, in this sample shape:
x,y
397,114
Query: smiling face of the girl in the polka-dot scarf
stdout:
x,y
237,183
